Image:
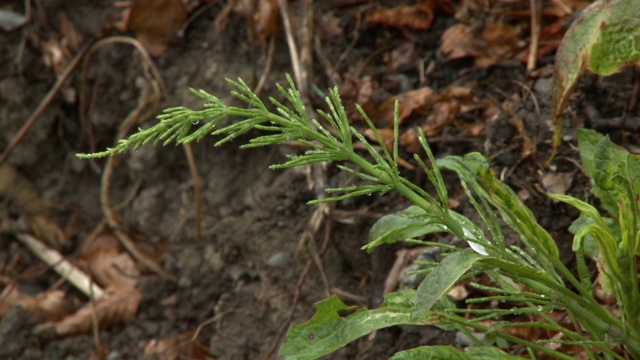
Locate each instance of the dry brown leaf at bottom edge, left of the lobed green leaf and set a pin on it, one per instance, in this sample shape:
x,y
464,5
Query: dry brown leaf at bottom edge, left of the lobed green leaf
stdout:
x,y
177,347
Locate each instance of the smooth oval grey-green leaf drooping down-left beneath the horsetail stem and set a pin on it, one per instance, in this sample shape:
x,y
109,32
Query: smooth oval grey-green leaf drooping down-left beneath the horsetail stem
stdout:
x,y
441,279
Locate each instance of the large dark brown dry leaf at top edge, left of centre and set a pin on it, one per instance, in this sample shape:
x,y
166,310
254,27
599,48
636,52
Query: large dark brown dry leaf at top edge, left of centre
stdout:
x,y
156,23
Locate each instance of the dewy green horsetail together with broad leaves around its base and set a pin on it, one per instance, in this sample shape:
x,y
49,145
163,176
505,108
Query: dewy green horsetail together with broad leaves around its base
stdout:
x,y
532,276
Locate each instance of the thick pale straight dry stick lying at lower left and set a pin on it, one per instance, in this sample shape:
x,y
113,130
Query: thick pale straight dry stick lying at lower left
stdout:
x,y
62,266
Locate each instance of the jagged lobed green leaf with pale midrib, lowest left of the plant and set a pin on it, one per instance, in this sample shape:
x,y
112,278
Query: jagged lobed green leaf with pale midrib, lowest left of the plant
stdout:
x,y
332,327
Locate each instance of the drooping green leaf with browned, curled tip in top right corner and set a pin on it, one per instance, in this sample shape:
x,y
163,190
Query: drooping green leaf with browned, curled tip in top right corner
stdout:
x,y
604,38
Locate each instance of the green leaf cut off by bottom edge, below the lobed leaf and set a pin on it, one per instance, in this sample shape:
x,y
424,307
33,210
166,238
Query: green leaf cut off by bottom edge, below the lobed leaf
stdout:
x,y
450,353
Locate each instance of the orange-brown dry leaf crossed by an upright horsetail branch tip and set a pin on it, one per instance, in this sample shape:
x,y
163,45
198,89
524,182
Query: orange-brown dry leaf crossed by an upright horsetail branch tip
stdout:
x,y
411,102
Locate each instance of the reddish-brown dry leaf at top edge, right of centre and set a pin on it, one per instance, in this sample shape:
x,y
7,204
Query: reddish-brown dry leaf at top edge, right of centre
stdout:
x,y
416,17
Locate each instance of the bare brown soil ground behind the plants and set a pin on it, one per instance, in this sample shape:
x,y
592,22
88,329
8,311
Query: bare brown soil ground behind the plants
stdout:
x,y
241,275
